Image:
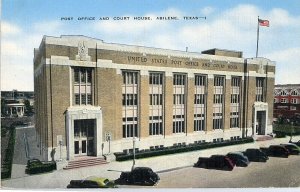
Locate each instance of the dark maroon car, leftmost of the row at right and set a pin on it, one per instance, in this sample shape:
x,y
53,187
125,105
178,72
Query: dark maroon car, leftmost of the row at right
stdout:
x,y
215,162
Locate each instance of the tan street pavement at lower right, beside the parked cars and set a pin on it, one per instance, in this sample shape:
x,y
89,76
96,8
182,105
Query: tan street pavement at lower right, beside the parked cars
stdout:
x,y
277,172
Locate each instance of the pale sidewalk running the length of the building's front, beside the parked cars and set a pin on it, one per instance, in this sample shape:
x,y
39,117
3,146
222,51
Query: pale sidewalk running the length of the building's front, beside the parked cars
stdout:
x,y
61,178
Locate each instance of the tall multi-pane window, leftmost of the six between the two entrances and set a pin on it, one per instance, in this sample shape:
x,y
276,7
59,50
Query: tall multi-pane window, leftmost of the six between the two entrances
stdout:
x,y
130,97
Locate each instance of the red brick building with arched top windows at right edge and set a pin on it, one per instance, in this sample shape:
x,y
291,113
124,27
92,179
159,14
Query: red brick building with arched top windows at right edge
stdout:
x,y
287,100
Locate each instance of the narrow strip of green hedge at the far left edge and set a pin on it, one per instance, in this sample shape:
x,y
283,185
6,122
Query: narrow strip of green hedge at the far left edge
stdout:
x,y
9,153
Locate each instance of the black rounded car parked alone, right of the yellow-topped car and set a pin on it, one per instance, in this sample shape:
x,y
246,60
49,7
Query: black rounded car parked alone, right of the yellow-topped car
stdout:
x,y
140,176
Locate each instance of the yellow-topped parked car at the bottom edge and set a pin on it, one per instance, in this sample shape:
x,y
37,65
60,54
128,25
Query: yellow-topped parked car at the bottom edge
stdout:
x,y
92,182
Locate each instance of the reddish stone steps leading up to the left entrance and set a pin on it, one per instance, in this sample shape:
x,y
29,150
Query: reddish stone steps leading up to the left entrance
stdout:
x,y
85,162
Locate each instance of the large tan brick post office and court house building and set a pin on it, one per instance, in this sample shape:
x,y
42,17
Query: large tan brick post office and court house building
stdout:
x,y
93,98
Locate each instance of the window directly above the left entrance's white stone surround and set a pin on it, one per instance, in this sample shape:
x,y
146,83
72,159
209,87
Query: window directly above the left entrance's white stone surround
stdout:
x,y
82,86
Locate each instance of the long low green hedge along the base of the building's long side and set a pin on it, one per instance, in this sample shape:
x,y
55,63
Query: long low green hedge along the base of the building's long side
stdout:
x,y
121,156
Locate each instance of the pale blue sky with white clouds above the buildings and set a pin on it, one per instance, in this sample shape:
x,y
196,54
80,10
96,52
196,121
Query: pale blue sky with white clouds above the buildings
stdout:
x,y
230,24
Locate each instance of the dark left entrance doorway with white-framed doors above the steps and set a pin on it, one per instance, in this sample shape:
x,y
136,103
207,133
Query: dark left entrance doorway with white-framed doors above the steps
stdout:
x,y
84,137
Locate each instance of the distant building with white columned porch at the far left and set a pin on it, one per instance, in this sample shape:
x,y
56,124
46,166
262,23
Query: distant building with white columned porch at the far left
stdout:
x,y
14,102
